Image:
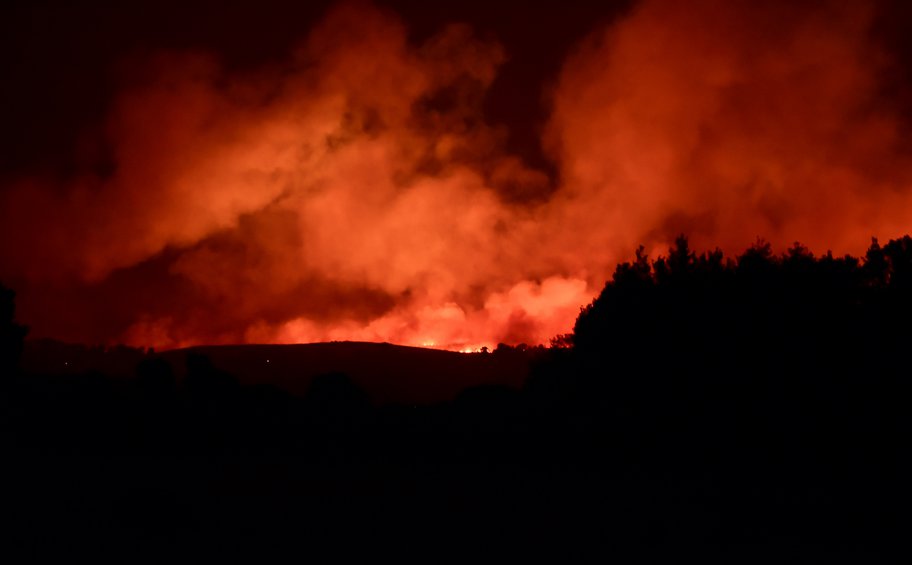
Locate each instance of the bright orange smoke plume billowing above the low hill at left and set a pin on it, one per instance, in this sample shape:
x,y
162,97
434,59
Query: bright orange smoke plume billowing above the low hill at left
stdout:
x,y
353,193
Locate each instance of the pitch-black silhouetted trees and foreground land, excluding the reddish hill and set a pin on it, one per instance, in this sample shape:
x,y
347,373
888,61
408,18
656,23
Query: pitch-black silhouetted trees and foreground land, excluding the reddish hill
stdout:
x,y
747,410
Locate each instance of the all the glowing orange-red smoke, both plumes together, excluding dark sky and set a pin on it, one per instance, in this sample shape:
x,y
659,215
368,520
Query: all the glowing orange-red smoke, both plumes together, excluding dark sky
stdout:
x,y
364,166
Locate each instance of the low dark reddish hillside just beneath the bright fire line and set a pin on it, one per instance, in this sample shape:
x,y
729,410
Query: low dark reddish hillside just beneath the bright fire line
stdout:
x,y
388,373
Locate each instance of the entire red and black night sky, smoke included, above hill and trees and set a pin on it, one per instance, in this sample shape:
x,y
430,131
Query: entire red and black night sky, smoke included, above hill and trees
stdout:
x,y
176,173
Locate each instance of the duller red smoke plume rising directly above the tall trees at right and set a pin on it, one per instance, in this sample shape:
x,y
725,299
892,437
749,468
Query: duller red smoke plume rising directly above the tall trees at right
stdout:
x,y
728,121
